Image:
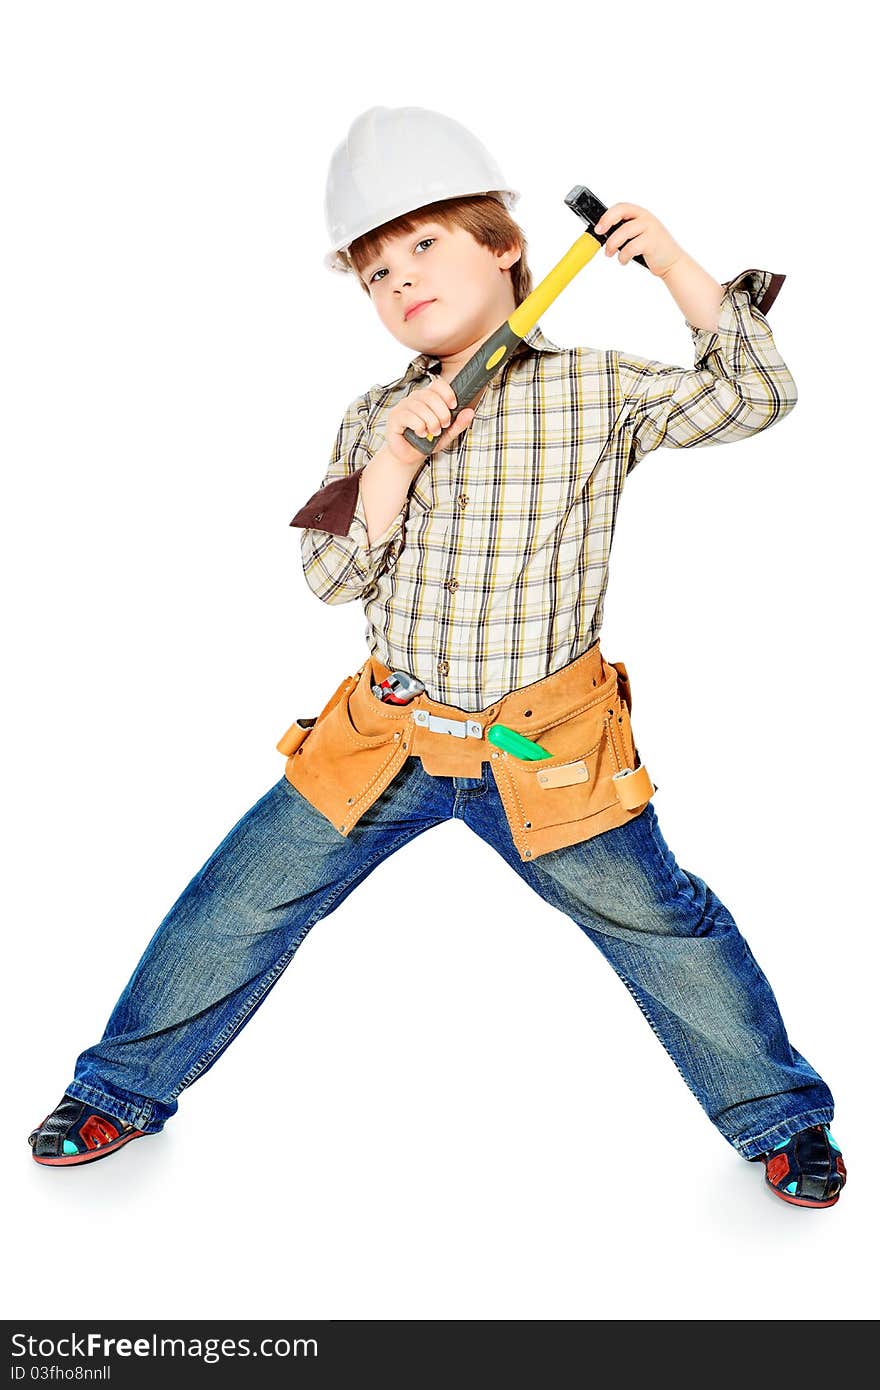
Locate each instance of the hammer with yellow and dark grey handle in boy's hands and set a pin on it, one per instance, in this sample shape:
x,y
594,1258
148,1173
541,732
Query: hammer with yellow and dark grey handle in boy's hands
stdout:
x,y
497,350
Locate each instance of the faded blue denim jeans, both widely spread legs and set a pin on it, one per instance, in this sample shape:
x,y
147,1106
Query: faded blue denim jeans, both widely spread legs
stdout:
x,y
283,867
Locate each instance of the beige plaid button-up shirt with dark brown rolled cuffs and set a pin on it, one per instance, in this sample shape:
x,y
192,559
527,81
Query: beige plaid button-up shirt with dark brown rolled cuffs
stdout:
x,y
494,573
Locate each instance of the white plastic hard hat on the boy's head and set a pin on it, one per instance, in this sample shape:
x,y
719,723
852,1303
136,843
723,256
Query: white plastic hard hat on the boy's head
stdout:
x,y
396,161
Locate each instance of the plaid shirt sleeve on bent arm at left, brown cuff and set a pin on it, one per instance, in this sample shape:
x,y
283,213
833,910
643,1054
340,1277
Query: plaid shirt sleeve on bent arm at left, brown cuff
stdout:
x,y
340,562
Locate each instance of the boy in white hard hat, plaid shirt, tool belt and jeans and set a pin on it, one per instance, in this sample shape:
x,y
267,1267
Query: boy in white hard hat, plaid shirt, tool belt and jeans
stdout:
x,y
483,572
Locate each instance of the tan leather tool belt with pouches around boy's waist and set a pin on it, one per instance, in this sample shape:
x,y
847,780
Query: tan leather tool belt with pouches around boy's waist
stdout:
x,y
343,761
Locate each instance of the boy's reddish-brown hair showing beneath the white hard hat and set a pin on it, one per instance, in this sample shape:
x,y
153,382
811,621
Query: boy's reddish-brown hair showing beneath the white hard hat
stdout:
x,y
483,215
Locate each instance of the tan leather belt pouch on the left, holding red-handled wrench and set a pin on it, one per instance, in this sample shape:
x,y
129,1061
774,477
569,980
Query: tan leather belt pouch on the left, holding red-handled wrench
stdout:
x,y
341,761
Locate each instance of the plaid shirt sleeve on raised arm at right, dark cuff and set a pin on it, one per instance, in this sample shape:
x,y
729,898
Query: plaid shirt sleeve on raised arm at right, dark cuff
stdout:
x,y
739,384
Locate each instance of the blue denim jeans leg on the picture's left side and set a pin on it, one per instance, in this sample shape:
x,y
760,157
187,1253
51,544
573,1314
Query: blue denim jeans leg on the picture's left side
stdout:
x,y
231,935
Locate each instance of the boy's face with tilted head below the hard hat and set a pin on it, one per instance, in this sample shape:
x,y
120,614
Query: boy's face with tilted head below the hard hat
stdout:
x,y
466,283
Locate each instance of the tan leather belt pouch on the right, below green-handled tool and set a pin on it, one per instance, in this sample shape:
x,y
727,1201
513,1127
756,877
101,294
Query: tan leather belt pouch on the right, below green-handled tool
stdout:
x,y
593,782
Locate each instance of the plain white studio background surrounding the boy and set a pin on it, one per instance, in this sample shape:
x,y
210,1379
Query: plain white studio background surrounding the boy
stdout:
x,y
450,1107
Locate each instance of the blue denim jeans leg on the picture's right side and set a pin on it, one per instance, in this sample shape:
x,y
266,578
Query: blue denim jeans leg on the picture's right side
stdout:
x,y
682,957
